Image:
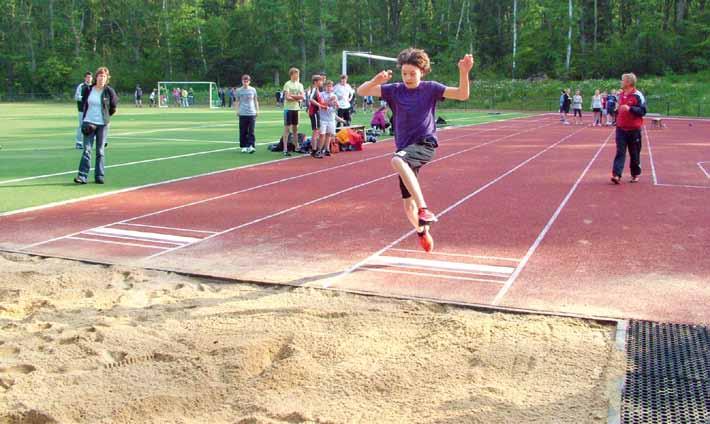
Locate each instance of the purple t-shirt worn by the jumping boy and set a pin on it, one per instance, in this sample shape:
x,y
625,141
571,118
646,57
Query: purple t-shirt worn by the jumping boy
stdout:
x,y
414,110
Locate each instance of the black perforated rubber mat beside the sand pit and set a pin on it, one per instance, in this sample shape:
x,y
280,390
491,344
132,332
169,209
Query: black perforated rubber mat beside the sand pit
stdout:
x,y
668,374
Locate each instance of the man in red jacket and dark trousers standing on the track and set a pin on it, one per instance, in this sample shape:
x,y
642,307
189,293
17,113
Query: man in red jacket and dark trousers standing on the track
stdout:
x,y
632,108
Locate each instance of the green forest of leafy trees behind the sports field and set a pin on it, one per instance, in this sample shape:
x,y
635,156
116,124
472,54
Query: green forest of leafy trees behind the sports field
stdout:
x,y
45,45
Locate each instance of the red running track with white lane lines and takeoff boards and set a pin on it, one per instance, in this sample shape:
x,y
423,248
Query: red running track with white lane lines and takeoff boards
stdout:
x,y
527,220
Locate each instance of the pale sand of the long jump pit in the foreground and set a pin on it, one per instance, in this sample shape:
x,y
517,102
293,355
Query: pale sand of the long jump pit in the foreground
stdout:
x,y
94,344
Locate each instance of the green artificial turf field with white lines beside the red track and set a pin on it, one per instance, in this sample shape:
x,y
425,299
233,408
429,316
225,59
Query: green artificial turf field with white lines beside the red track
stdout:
x,y
38,160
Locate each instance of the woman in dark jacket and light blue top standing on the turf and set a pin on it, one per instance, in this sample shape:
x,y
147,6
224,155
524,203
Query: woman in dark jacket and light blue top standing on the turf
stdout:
x,y
98,105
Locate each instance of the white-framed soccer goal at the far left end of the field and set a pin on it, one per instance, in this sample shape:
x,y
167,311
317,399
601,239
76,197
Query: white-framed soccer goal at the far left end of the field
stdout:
x,y
188,94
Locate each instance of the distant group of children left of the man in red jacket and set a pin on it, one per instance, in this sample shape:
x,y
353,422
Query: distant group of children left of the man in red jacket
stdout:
x,y
604,106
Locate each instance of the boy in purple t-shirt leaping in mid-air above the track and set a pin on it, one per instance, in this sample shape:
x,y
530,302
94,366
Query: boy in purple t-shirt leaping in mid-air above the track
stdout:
x,y
413,103
